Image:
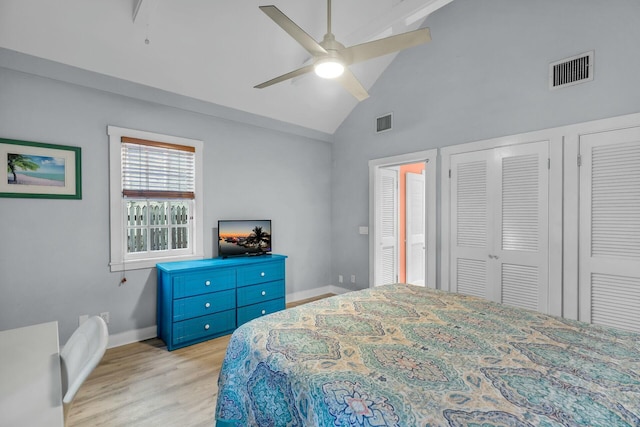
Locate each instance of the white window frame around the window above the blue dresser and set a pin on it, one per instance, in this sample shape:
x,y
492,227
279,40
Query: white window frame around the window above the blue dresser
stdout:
x,y
119,260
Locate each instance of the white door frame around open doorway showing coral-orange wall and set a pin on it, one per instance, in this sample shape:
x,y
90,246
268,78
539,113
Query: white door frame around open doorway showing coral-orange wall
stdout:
x,y
430,157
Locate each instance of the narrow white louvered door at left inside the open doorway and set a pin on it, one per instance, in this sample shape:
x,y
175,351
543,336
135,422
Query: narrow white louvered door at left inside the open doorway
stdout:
x,y
387,246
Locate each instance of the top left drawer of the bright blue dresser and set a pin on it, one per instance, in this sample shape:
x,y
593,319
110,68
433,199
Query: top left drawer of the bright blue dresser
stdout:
x,y
205,281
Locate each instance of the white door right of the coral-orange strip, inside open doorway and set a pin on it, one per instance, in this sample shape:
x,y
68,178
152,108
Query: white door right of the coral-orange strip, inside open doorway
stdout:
x,y
415,223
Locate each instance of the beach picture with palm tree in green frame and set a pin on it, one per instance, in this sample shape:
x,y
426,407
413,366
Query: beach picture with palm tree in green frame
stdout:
x,y
39,170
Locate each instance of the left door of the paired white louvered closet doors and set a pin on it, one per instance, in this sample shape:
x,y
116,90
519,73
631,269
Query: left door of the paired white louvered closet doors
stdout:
x,y
471,229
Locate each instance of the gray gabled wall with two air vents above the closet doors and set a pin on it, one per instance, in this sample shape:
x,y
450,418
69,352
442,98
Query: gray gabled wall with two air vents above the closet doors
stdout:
x,y
484,75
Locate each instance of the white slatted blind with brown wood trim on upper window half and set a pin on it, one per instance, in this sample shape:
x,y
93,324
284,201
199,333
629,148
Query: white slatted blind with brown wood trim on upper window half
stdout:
x,y
153,169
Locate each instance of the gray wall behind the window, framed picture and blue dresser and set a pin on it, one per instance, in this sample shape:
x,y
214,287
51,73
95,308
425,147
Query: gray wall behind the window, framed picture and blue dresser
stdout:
x,y
54,254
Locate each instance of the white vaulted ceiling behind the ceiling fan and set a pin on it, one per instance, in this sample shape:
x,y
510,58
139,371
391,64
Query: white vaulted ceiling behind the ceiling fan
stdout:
x,y
211,50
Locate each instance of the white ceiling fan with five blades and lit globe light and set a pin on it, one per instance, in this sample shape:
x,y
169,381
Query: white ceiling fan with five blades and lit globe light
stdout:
x,y
331,58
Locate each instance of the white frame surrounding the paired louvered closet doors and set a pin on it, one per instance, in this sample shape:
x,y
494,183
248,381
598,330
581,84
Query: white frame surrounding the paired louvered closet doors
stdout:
x,y
555,138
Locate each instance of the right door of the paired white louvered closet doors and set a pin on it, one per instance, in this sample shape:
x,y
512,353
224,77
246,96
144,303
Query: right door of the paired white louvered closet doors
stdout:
x,y
522,219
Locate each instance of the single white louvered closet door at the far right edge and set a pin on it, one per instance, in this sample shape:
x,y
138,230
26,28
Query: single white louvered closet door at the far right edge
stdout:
x,y
610,229
